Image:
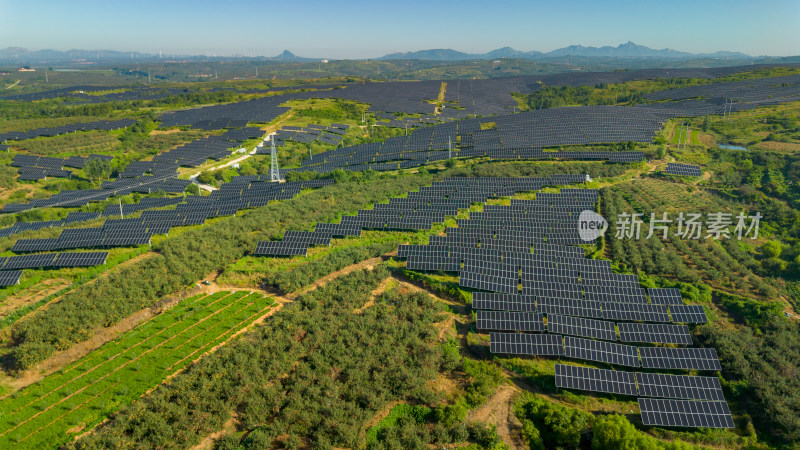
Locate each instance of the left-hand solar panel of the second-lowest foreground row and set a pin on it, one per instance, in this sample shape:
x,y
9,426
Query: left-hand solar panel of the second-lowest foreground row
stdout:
x,y
595,380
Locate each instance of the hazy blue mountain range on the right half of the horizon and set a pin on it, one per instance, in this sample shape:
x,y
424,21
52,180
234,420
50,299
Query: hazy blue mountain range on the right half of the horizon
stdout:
x,y
626,50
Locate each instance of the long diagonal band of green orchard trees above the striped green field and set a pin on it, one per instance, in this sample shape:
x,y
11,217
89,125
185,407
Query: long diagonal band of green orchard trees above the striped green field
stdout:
x,y
184,259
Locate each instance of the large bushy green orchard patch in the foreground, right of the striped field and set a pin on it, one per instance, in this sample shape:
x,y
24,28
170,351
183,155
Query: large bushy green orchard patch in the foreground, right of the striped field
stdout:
x,y
317,372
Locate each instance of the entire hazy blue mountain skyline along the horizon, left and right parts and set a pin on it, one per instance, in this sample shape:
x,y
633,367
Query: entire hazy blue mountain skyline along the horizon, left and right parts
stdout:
x,y
628,50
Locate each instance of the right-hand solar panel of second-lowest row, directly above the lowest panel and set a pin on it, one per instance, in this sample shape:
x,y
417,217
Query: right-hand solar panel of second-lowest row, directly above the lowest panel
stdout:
x,y
679,386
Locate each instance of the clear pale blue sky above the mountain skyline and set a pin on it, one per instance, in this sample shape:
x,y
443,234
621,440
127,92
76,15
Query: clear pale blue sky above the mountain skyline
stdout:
x,y
366,29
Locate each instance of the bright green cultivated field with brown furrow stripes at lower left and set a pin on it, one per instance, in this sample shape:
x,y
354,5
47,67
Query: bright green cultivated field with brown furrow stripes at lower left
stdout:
x,y
69,402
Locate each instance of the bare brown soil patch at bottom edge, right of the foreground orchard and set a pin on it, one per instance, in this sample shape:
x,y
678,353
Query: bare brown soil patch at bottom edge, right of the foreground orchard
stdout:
x,y
498,411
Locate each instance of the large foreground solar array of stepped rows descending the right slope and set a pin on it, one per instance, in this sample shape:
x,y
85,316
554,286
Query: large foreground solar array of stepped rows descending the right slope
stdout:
x,y
522,279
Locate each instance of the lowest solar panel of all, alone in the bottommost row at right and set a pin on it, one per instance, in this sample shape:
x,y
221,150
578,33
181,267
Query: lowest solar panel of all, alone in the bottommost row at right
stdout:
x,y
685,413
